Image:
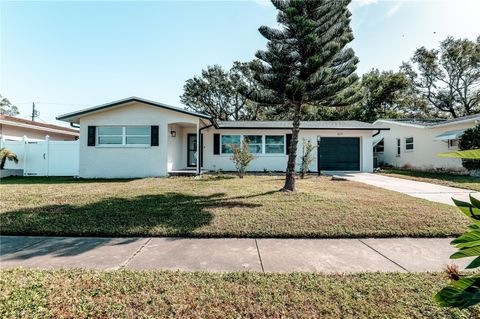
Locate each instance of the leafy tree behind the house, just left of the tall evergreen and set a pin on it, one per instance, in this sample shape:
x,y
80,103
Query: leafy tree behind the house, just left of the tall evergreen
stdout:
x,y
223,94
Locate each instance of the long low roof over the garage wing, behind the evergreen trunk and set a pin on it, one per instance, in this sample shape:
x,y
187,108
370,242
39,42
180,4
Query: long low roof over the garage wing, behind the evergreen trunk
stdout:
x,y
305,125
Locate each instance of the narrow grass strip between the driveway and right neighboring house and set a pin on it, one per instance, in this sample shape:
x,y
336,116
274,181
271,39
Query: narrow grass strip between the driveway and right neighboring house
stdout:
x,y
460,181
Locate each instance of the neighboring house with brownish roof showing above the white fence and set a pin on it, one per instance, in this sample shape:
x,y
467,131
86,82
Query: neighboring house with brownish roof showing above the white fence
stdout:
x,y
14,129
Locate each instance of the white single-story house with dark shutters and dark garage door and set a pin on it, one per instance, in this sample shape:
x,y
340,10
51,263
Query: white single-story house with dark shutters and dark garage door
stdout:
x,y
135,137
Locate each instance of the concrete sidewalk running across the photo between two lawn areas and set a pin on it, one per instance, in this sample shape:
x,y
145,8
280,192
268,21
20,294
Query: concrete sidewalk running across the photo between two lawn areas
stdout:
x,y
263,255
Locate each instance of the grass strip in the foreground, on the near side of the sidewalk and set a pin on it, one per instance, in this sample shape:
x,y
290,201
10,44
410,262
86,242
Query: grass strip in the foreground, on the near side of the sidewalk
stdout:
x,y
128,294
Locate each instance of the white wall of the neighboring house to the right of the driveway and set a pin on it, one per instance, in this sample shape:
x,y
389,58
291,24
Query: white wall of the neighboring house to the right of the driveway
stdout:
x,y
424,155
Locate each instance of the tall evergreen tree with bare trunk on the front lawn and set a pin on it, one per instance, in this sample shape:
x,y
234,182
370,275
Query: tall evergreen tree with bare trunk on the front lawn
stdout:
x,y
307,62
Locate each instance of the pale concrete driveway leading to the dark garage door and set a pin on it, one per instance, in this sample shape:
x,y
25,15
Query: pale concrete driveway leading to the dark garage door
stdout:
x,y
432,192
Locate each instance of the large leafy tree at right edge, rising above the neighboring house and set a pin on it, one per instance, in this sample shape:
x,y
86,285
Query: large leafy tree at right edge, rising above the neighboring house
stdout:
x,y
449,78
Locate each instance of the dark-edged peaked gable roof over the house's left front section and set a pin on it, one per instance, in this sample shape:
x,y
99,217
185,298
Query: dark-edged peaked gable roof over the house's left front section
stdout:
x,y
73,116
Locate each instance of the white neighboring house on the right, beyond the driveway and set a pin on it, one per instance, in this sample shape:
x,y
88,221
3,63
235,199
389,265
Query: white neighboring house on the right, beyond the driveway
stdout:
x,y
416,143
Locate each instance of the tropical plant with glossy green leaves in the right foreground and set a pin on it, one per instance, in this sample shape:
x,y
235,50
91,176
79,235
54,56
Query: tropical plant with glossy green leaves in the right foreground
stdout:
x,y
464,289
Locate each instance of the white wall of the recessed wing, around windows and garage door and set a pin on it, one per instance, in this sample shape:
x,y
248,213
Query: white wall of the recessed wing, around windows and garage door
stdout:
x,y
278,162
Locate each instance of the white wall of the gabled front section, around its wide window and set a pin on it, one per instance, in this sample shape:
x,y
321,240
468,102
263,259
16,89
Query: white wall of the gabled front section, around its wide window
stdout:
x,y
125,162
